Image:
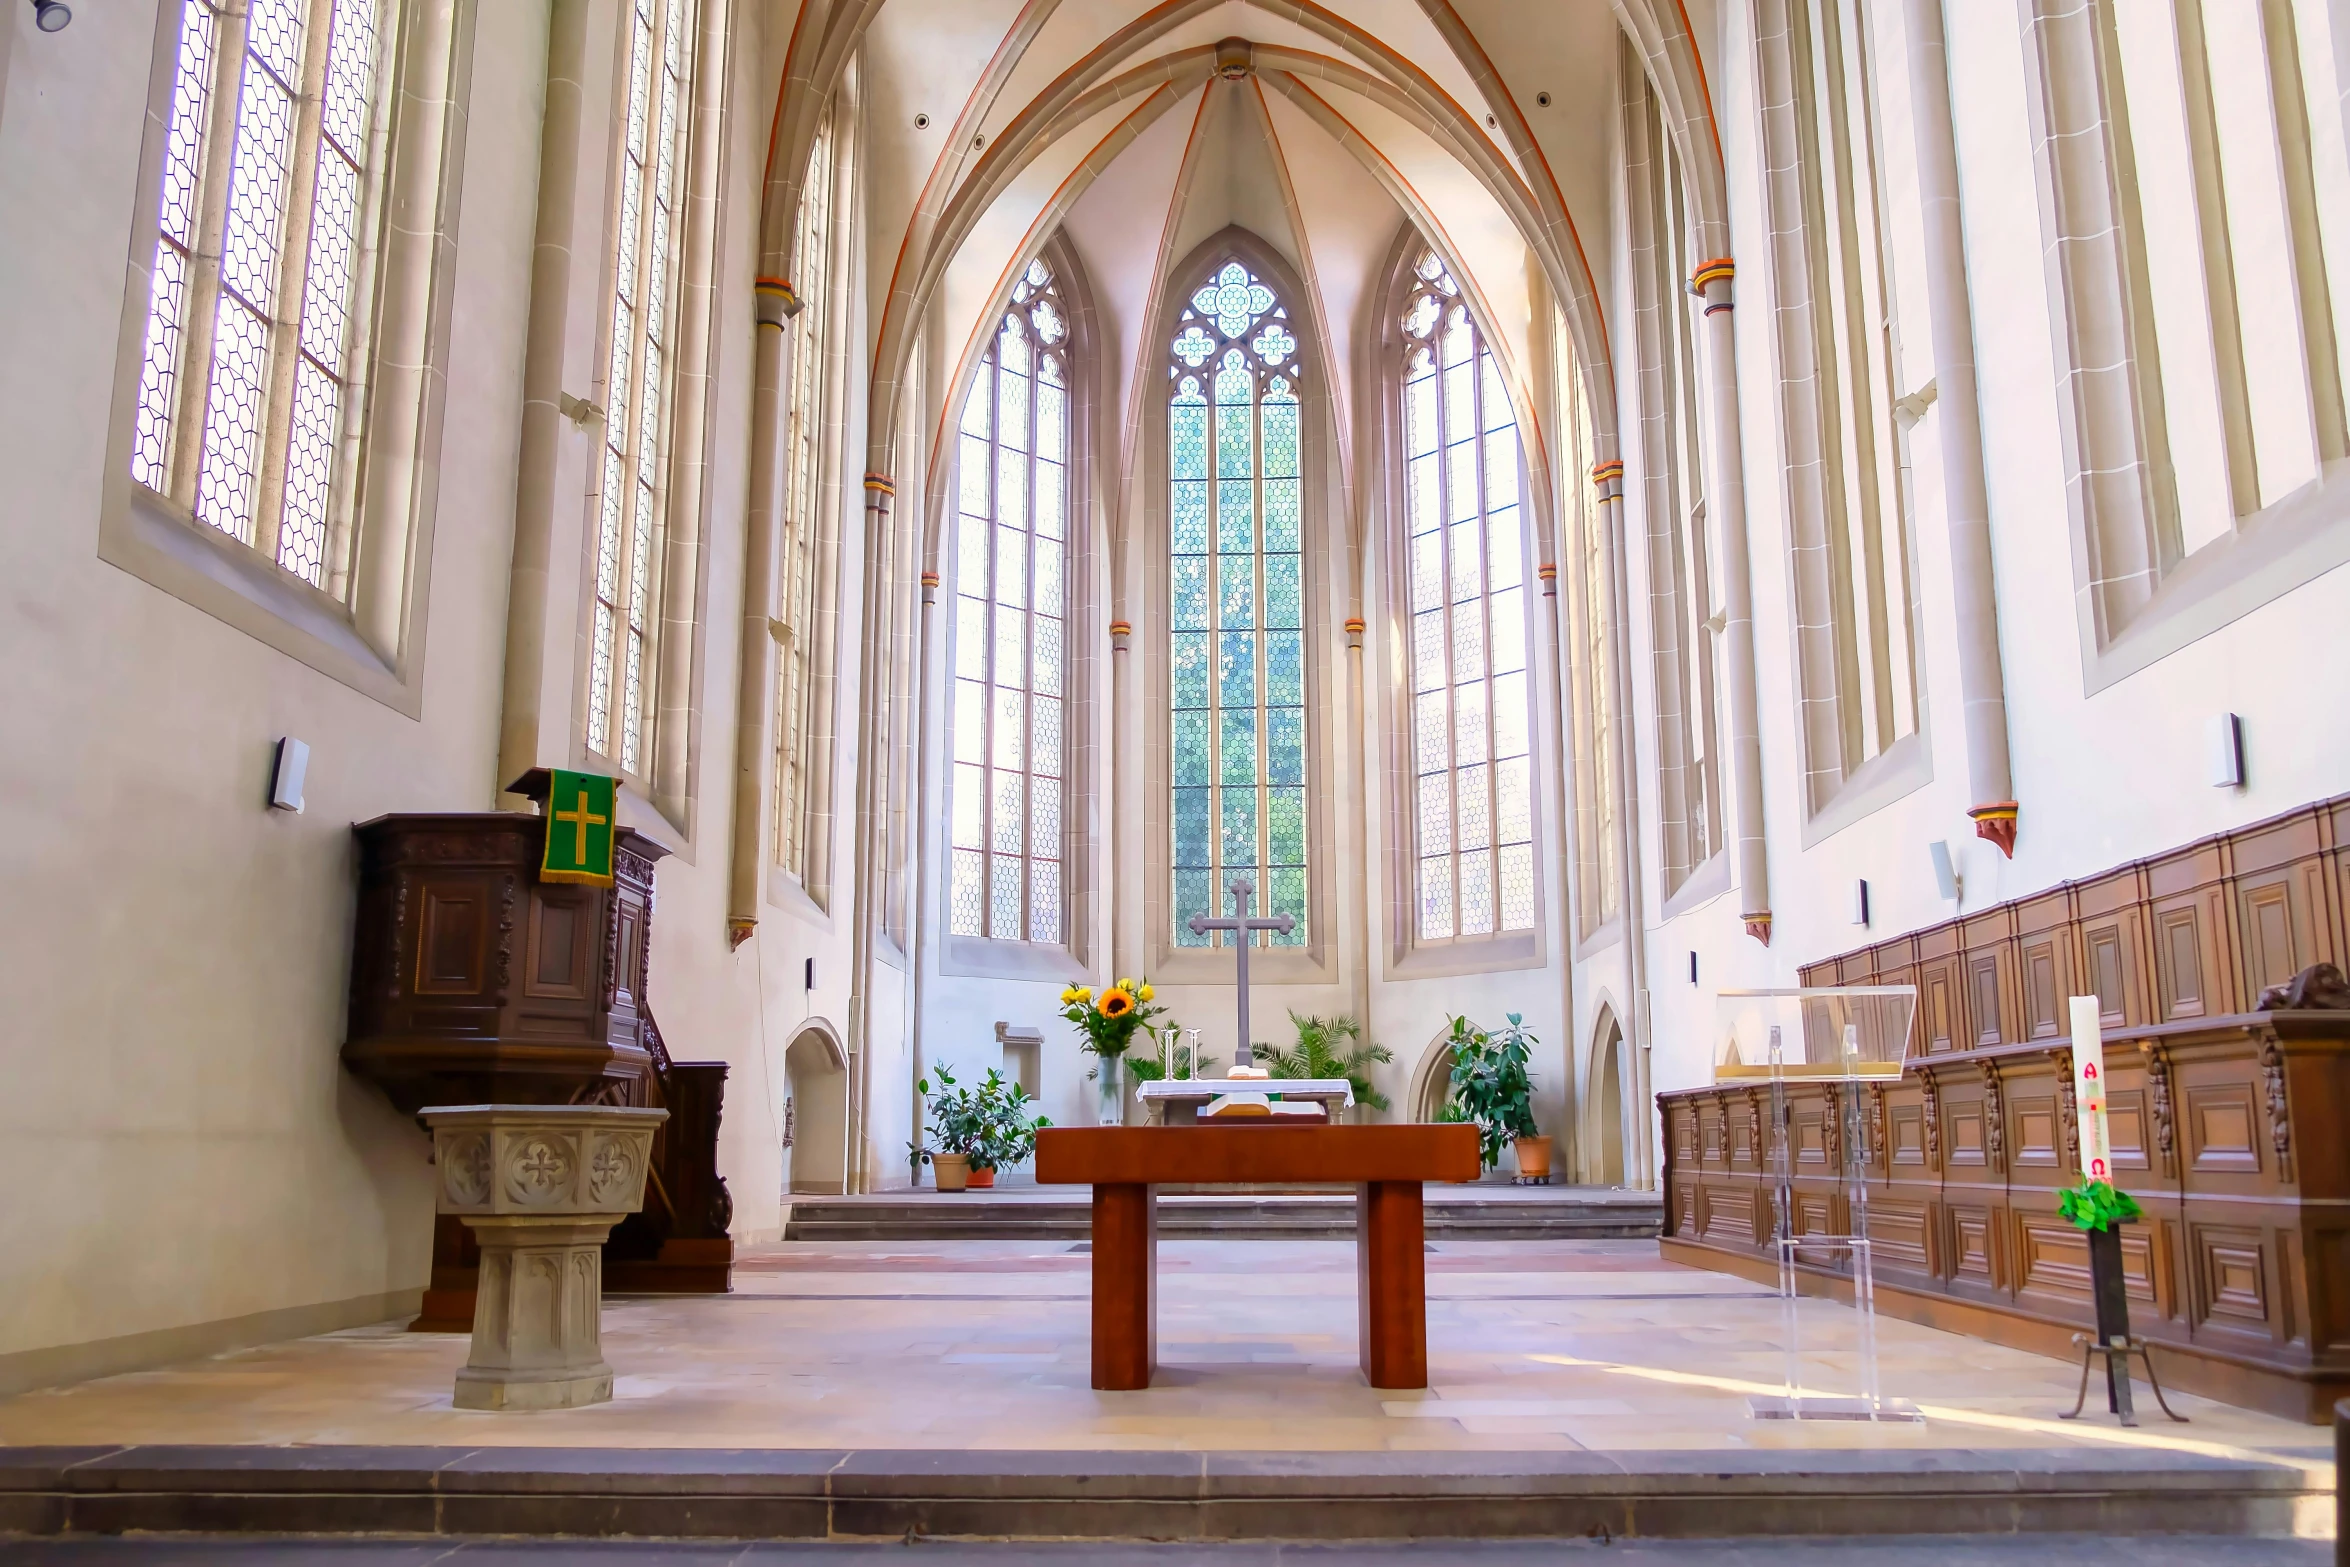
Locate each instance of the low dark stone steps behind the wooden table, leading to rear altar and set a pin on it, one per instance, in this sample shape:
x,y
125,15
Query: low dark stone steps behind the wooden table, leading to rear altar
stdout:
x,y
1026,1213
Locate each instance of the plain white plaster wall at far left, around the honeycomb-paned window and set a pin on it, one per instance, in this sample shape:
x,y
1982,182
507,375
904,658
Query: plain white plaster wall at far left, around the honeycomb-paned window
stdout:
x,y
180,1138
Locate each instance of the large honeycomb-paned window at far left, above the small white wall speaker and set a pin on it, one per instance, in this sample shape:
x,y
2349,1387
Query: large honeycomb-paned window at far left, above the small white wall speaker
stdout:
x,y
248,382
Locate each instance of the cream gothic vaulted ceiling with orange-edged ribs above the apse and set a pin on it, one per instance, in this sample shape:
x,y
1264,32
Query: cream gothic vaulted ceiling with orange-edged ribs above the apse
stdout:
x,y
1143,130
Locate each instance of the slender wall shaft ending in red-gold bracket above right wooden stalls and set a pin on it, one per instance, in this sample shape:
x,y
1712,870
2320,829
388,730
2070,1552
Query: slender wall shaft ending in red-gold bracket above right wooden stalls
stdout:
x,y
1982,680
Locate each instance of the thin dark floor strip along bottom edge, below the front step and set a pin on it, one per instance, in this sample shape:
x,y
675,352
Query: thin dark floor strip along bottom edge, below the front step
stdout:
x,y
1898,1552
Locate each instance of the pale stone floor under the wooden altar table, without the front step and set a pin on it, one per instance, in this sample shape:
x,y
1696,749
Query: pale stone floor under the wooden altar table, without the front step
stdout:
x,y
986,1347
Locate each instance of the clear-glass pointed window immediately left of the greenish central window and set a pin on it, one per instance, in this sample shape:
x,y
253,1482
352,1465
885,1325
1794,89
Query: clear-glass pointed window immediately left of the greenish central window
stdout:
x,y
1012,614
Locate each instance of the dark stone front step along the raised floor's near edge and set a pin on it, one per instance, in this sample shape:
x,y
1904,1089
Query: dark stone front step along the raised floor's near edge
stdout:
x,y
880,1495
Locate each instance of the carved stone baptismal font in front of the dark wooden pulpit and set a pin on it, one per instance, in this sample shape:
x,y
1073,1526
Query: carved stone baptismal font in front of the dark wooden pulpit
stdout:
x,y
539,1185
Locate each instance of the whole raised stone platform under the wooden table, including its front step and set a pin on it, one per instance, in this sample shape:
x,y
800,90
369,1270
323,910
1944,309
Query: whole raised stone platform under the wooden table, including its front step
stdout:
x,y
868,1390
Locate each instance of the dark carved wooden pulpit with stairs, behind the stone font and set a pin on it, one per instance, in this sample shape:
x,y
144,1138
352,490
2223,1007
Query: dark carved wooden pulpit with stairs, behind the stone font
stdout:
x,y
478,983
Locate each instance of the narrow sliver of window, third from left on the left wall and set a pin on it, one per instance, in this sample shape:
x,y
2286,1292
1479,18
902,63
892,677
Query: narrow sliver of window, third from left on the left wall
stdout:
x,y
803,527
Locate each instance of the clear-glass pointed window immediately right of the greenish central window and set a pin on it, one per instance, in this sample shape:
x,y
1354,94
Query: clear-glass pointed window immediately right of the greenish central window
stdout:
x,y
1465,593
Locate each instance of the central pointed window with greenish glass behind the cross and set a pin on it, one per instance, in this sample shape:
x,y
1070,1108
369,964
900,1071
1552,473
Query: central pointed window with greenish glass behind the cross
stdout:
x,y
1237,605
